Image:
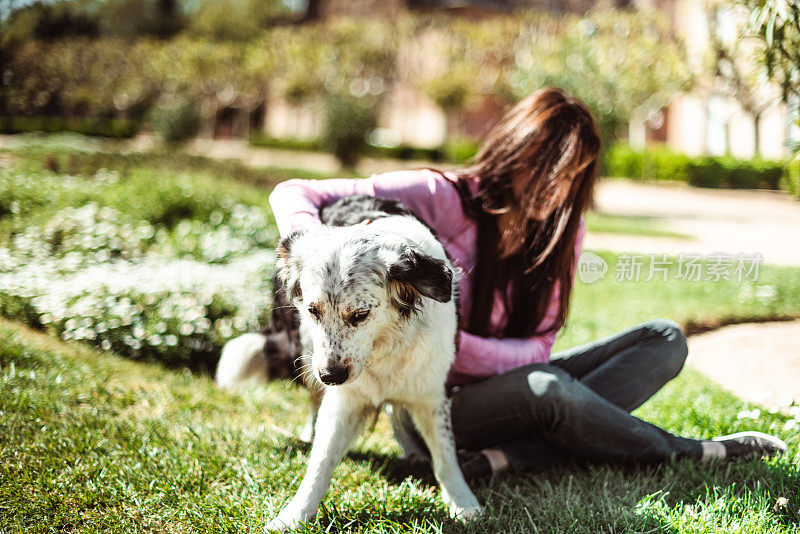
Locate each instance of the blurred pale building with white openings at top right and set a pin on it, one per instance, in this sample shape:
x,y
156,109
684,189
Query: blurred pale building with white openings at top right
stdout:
x,y
709,120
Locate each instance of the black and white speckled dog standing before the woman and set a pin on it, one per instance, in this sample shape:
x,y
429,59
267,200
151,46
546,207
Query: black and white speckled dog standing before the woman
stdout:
x,y
378,320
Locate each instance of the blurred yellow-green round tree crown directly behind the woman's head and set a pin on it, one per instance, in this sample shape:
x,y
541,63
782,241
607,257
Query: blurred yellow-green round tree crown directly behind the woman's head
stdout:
x,y
620,63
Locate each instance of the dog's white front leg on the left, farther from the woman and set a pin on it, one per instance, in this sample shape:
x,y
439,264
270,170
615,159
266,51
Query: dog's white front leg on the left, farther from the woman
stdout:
x,y
337,425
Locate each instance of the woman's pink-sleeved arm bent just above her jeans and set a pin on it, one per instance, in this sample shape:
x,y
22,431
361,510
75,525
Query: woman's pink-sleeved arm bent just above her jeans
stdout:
x,y
482,356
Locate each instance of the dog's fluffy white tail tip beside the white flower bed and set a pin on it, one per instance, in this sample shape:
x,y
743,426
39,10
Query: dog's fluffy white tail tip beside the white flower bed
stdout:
x,y
243,361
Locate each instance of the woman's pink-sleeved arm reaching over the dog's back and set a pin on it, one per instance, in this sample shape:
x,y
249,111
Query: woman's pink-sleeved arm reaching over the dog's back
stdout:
x,y
296,203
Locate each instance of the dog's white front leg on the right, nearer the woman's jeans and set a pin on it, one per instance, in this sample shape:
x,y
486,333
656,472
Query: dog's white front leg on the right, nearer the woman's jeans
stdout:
x,y
433,422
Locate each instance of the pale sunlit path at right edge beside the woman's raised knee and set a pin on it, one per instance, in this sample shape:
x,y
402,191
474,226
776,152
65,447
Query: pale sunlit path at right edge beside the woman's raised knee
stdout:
x,y
759,362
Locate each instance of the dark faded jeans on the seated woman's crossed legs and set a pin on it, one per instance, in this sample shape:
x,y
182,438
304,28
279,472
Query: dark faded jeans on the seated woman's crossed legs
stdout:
x,y
578,405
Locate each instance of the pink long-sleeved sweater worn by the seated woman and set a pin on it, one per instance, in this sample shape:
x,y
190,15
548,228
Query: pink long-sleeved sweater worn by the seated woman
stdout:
x,y
296,203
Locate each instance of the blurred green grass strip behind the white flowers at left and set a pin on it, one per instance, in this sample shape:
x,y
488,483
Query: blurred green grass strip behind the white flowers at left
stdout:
x,y
159,188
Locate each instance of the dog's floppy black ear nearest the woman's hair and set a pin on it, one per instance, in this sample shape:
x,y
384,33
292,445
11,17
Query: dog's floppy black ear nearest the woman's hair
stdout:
x,y
414,274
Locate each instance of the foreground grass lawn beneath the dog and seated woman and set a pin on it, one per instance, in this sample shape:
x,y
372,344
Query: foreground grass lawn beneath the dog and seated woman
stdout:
x,y
93,443
